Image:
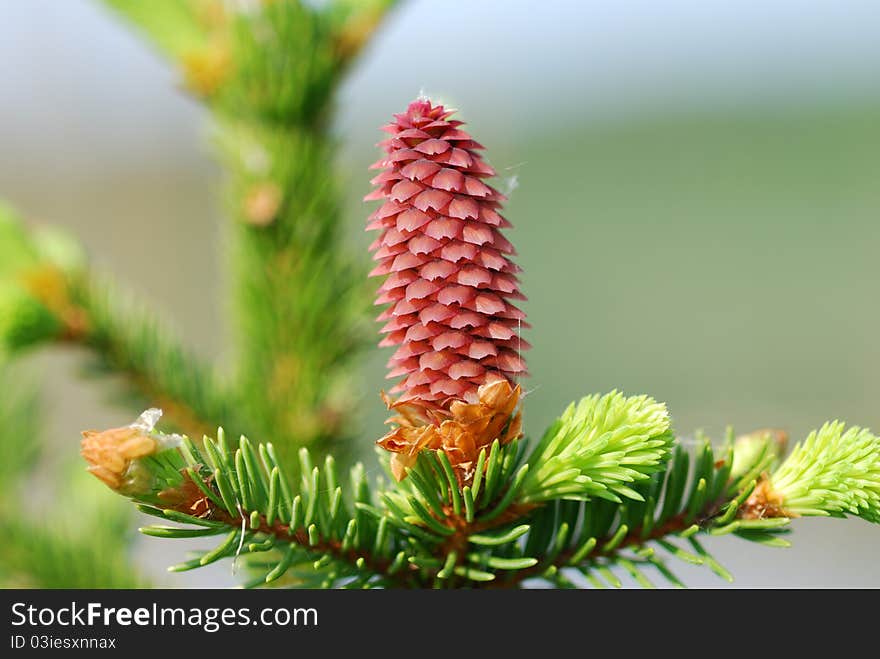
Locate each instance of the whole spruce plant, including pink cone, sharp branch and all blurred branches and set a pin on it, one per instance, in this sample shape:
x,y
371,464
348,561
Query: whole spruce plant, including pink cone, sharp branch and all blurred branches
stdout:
x,y
608,490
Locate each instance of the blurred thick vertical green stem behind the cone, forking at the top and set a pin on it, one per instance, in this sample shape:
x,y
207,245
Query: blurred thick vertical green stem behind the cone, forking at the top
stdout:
x,y
300,300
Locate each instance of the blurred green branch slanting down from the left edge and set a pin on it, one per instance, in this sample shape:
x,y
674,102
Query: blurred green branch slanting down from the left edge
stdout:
x,y
48,295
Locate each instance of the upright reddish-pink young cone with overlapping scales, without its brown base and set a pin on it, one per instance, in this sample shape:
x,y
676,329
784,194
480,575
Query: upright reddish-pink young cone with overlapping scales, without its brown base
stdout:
x,y
449,274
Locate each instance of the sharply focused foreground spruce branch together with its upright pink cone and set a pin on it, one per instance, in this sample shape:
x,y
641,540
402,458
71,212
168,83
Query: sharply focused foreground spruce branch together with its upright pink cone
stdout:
x,y
607,489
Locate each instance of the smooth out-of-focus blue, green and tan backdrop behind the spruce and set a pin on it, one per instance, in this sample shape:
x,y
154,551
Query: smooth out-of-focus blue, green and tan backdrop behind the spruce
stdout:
x,y
696,203
